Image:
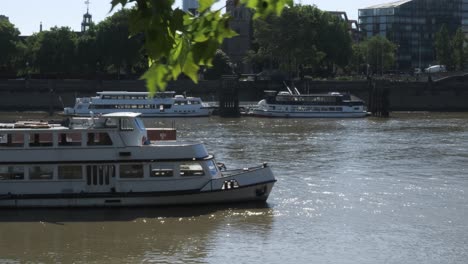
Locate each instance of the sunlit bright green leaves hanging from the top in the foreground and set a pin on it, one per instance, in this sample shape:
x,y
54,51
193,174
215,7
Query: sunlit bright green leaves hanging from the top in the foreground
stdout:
x,y
177,42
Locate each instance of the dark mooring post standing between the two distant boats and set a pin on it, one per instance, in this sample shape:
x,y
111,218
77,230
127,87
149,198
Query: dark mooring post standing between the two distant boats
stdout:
x,y
229,97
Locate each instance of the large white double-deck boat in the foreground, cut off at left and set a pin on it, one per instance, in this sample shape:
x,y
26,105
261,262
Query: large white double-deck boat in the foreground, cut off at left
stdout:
x,y
111,160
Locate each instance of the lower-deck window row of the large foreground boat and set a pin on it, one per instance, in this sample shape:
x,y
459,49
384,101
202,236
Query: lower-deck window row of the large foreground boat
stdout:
x,y
101,174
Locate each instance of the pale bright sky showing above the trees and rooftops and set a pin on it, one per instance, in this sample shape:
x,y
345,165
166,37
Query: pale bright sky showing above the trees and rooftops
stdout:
x,y
27,15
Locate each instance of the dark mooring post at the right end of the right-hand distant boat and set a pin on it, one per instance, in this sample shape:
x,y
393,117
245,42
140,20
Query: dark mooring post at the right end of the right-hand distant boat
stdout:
x,y
379,99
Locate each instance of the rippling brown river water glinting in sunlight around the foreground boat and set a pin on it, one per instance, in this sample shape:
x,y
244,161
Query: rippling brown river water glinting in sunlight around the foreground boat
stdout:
x,y
365,190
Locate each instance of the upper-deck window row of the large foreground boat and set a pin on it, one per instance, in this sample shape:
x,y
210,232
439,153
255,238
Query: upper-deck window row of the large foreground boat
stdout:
x,y
49,139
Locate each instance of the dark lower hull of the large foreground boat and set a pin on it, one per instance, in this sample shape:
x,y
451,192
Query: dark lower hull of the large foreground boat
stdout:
x,y
254,192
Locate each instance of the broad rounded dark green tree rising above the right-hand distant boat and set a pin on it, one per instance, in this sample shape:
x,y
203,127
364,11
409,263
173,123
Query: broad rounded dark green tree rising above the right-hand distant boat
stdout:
x,y
302,37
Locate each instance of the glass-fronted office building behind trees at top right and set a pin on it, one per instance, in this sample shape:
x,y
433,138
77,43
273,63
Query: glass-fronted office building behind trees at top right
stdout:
x,y
412,25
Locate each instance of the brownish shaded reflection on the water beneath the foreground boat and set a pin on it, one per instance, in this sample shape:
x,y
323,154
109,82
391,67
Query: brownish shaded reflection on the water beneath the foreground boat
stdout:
x,y
127,235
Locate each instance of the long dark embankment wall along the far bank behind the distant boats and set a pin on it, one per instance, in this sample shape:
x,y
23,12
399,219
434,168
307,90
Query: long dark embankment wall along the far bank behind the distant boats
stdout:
x,y
447,94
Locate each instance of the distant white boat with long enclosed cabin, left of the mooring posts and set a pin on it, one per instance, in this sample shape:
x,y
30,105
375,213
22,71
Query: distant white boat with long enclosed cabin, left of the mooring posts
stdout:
x,y
163,104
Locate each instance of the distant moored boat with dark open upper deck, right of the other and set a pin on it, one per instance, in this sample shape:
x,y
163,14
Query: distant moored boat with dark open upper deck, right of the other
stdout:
x,y
294,104
